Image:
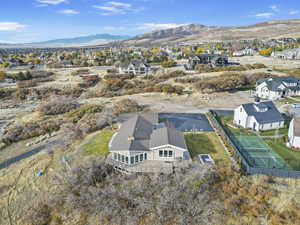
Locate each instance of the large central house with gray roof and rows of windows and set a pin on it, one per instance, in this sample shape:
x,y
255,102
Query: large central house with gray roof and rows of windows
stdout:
x,y
142,139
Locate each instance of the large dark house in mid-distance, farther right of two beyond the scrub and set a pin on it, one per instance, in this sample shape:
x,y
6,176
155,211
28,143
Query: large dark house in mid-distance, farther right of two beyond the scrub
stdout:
x,y
212,59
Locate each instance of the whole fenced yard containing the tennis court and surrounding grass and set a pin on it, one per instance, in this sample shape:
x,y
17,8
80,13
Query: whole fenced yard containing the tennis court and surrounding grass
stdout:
x,y
259,155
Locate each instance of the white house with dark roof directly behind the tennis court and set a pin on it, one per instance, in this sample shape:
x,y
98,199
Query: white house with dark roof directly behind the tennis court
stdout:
x,y
258,116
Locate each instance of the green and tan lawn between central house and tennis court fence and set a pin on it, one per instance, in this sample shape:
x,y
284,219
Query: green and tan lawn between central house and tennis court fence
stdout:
x,y
206,143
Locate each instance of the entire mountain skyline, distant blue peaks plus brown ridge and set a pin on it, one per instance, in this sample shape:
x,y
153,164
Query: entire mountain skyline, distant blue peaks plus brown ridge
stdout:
x,y
192,33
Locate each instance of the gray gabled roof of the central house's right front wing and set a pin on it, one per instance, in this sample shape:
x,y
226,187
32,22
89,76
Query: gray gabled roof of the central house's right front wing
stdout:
x,y
167,136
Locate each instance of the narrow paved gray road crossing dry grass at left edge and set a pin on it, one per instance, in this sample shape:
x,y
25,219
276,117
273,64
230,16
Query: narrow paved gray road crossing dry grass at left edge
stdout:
x,y
28,154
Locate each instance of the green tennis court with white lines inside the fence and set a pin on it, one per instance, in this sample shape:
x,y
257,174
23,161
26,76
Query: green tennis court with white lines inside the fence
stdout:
x,y
258,153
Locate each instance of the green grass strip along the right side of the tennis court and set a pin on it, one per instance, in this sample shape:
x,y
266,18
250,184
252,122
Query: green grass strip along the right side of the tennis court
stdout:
x,y
291,157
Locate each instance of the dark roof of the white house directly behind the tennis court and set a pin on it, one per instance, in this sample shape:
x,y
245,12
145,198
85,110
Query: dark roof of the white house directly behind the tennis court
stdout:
x,y
271,115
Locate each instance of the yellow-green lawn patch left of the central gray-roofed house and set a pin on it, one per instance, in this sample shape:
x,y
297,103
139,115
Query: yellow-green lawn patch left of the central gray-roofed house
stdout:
x,y
99,143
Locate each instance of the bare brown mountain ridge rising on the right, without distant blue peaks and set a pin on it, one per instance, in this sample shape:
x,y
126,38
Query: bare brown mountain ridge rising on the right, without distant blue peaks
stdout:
x,y
201,33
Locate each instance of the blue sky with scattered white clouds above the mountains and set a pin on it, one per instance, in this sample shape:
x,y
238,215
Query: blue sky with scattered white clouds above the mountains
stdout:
x,y
24,21
